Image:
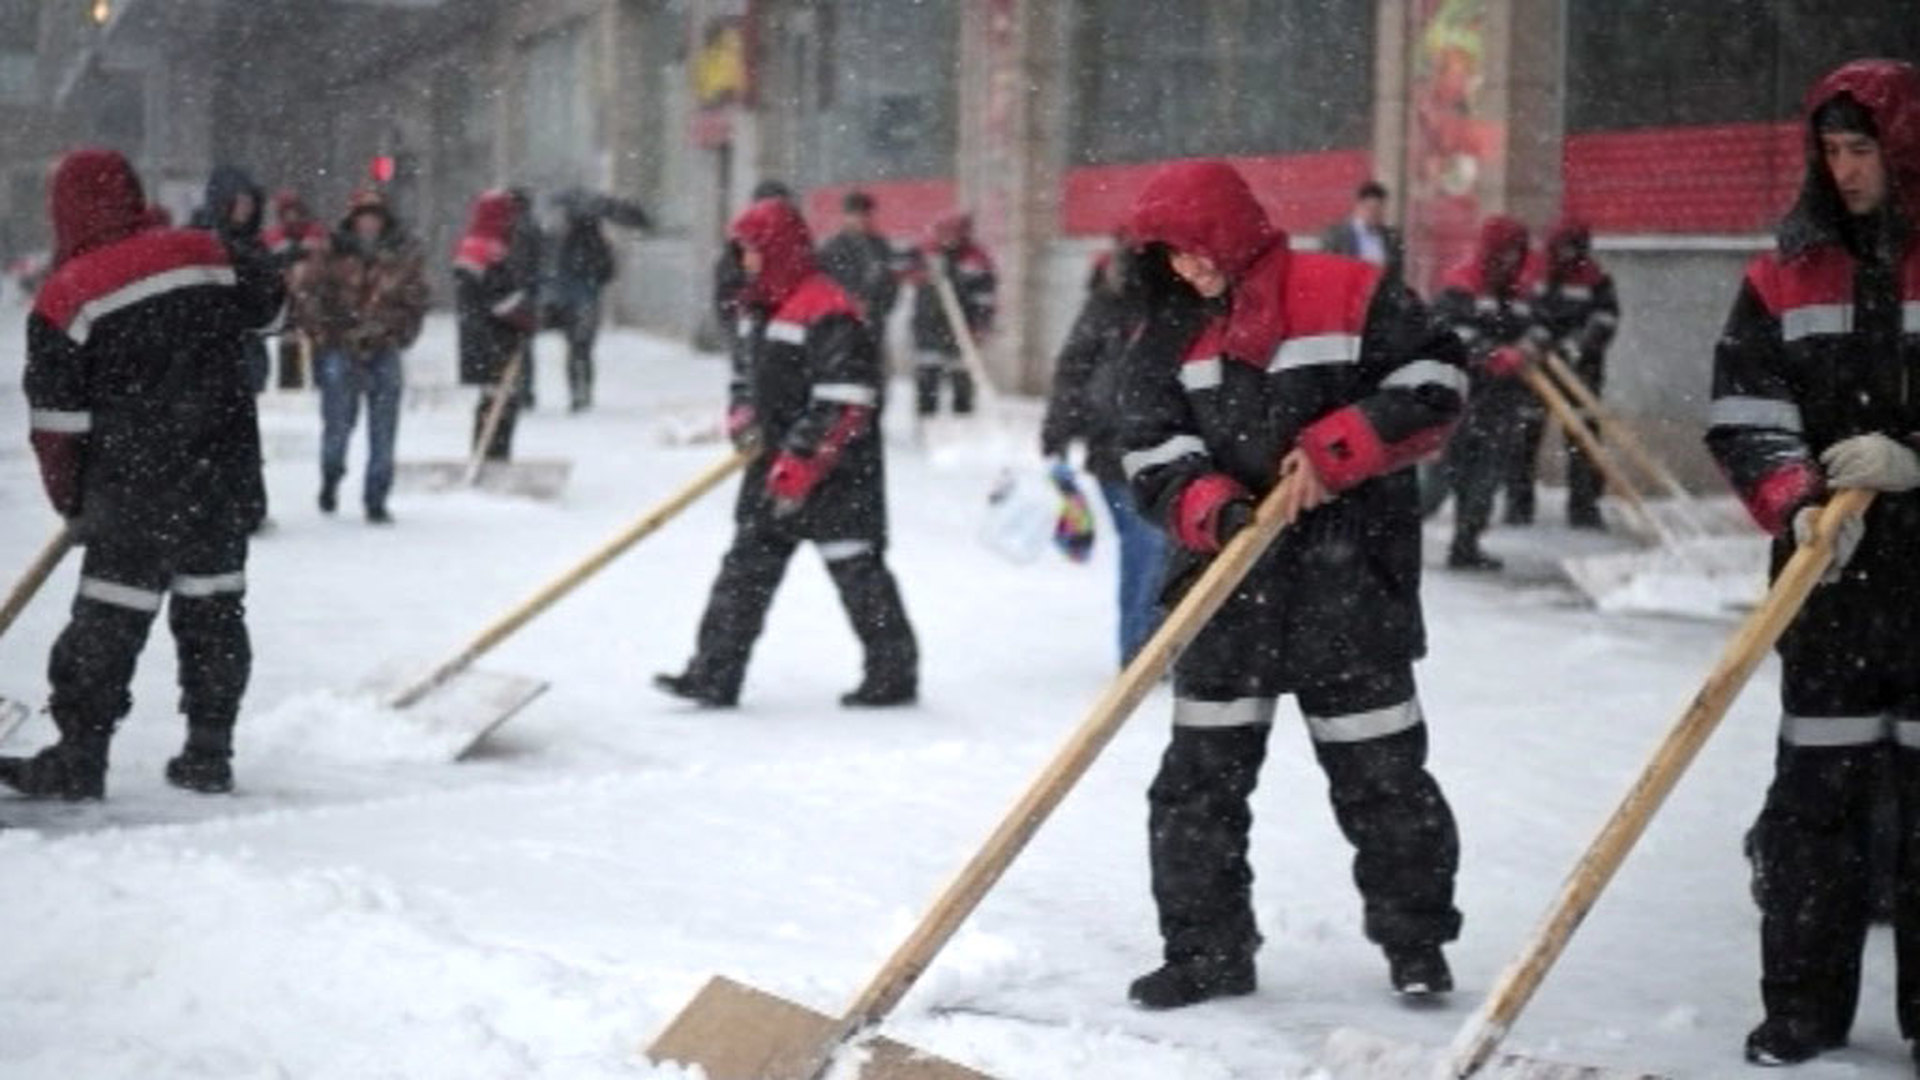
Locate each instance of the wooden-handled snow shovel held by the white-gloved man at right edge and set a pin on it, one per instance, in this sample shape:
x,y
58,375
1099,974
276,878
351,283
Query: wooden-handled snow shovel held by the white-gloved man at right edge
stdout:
x,y
1477,1041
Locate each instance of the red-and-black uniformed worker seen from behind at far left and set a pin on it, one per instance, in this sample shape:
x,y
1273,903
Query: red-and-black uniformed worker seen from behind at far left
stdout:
x,y
149,447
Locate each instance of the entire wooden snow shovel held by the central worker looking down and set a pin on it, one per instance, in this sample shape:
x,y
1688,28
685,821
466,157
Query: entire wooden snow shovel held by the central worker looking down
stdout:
x,y
736,1033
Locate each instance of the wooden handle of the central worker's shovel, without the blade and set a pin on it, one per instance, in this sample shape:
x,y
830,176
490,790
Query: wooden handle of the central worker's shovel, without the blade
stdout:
x,y
1068,766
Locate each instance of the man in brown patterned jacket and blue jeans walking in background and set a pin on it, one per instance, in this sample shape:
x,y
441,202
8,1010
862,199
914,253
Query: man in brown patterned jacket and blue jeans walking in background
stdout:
x,y
362,303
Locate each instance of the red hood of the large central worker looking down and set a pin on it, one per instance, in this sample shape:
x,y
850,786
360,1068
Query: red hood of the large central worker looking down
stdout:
x,y
1205,209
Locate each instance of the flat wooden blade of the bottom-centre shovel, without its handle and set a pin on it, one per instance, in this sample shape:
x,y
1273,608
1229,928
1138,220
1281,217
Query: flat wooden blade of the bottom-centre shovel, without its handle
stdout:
x,y
738,1033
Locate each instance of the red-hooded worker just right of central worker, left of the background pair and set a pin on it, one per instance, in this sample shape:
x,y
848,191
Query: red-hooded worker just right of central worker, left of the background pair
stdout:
x,y
1487,307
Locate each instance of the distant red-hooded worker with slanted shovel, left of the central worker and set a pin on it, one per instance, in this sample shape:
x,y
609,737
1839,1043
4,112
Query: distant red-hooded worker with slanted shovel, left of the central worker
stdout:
x,y
967,266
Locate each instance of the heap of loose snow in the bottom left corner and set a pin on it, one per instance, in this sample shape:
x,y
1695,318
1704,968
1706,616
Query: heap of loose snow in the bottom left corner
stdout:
x,y
203,966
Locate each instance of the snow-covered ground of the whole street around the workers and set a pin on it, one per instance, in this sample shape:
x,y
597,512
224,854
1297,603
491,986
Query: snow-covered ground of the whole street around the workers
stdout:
x,y
364,910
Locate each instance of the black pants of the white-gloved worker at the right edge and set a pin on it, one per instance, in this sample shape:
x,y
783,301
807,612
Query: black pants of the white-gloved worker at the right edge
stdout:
x,y
1850,718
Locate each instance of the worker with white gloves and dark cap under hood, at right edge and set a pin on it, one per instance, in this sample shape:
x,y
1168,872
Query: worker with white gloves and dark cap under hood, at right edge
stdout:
x,y
1817,387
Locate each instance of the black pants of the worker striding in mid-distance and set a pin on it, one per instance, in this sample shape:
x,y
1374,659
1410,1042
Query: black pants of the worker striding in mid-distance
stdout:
x,y
744,593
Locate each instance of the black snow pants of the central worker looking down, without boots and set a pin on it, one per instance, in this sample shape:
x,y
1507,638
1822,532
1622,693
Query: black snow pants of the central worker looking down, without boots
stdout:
x,y
1372,743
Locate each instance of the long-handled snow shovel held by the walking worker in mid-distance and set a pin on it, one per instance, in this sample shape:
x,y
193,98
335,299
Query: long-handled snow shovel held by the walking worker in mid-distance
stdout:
x,y
494,699
